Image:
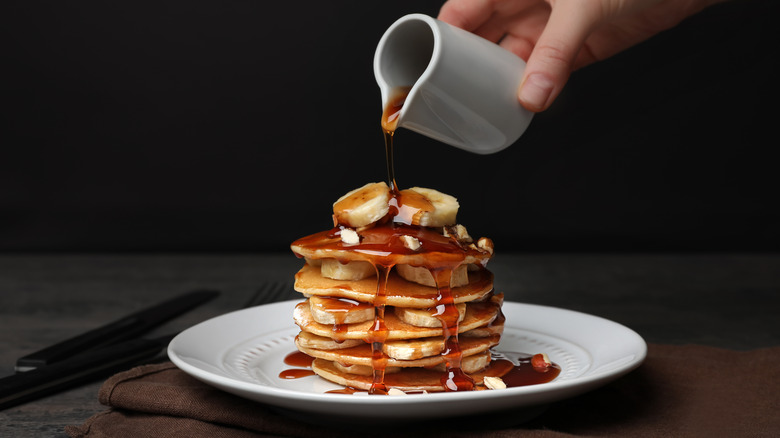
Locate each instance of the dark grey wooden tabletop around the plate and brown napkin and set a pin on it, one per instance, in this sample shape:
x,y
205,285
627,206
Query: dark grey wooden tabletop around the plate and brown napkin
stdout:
x,y
722,300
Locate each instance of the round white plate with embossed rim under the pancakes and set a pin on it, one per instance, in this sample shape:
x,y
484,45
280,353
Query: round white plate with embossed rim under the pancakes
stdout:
x,y
243,352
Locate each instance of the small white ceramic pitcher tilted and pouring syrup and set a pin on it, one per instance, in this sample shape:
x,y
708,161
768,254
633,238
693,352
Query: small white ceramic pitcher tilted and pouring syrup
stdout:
x,y
464,87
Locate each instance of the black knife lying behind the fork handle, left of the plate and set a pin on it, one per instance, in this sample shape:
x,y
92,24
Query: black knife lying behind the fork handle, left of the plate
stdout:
x,y
129,327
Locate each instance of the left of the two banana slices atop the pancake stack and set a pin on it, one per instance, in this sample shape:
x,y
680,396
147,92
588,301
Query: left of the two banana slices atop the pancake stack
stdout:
x,y
363,206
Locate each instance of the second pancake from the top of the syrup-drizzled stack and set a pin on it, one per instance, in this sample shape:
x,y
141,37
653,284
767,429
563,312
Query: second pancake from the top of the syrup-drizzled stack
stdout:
x,y
400,293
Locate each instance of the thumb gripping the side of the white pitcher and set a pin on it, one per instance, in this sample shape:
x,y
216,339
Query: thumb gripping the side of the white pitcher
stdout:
x,y
552,59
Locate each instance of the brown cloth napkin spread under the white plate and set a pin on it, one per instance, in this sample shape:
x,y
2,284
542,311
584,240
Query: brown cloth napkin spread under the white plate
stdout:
x,y
680,391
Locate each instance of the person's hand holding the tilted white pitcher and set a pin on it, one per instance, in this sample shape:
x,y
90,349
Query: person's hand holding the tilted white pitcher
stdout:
x,y
556,37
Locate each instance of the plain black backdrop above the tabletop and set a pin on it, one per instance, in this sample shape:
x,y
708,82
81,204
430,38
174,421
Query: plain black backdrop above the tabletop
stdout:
x,y
233,125
